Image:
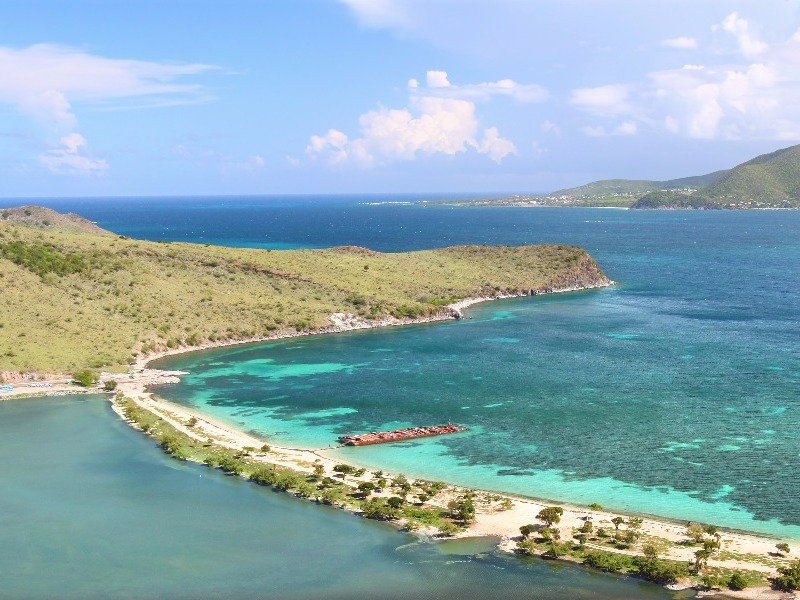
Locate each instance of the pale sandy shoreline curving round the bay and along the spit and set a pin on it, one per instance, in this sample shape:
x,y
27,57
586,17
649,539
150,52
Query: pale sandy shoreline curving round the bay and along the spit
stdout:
x,y
502,524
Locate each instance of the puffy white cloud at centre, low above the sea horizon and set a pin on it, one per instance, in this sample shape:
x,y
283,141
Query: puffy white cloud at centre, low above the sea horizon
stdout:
x,y
431,124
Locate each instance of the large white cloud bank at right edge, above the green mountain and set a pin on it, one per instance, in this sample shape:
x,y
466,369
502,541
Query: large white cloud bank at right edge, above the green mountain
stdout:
x,y
750,97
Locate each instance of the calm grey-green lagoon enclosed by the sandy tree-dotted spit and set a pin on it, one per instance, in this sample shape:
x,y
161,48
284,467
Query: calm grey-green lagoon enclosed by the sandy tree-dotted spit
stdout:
x,y
92,509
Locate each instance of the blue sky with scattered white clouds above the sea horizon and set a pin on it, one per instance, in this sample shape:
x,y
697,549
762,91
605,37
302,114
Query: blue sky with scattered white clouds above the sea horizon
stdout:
x,y
187,97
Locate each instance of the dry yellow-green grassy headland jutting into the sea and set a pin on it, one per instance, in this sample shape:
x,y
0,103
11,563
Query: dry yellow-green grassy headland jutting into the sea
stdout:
x,y
75,299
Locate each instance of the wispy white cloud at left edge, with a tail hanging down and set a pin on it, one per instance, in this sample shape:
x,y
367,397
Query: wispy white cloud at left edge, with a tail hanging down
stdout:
x,y
46,81
